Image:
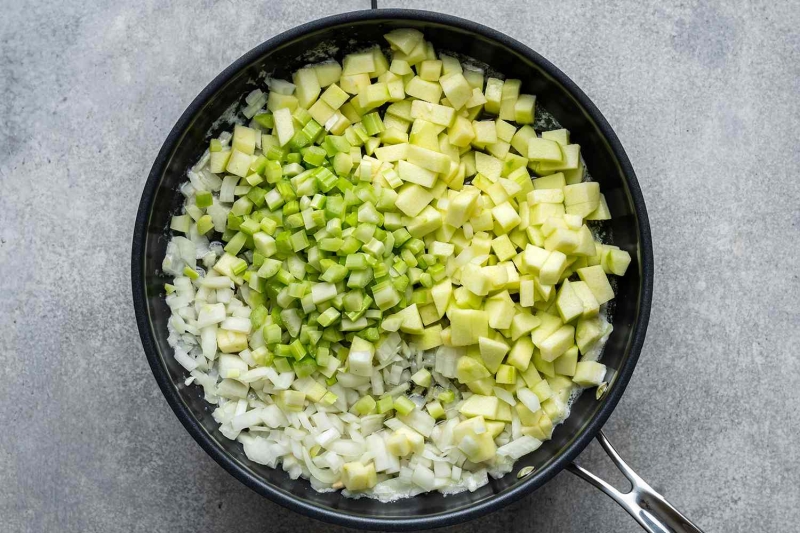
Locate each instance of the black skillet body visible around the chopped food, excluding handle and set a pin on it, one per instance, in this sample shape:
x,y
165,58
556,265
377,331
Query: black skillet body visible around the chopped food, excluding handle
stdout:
x,y
281,56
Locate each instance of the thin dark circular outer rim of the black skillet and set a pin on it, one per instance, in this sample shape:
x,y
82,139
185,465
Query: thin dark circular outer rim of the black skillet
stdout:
x,y
200,435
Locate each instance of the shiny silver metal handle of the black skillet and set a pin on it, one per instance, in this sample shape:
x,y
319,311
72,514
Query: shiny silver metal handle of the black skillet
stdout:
x,y
654,513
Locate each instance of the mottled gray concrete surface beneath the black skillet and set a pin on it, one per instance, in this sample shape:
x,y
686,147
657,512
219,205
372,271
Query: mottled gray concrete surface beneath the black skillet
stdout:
x,y
703,96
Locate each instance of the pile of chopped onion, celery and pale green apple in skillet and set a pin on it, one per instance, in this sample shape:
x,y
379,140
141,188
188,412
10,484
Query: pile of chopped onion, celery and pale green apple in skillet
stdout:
x,y
388,281
